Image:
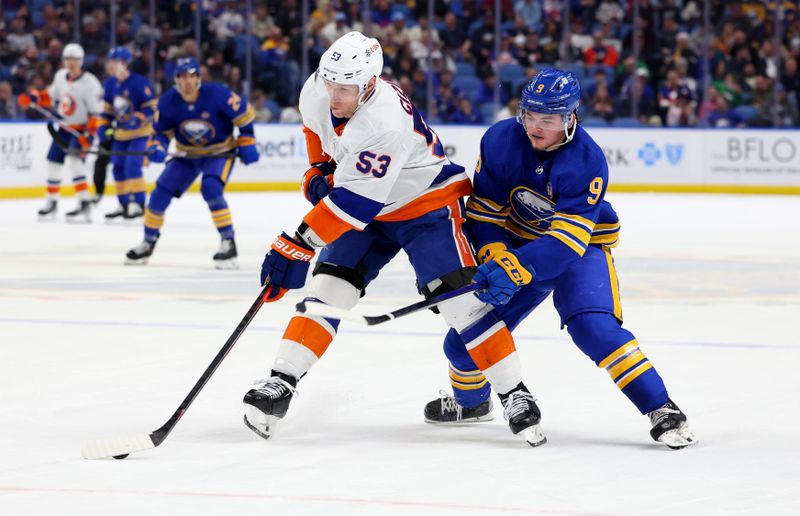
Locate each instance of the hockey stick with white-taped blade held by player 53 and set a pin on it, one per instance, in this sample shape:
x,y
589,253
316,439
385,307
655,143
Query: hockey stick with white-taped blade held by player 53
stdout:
x,y
120,447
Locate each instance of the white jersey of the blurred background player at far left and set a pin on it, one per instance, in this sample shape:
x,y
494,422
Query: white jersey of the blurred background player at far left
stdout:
x,y
77,99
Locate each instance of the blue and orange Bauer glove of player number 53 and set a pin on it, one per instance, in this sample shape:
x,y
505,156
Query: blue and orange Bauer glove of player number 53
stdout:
x,y
286,266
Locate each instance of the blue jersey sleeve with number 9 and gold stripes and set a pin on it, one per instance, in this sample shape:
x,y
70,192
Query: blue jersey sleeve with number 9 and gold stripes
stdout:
x,y
580,189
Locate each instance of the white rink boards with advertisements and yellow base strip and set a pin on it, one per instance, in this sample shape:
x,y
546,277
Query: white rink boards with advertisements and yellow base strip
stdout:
x,y
641,159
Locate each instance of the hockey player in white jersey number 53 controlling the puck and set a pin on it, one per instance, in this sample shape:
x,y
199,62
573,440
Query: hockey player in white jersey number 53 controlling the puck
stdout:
x,y
380,182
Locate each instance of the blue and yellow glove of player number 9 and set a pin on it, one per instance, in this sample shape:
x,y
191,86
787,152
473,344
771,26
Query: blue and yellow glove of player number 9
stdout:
x,y
504,275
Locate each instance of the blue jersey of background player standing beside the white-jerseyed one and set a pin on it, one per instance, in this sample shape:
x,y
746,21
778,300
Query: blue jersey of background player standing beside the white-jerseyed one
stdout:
x,y
131,104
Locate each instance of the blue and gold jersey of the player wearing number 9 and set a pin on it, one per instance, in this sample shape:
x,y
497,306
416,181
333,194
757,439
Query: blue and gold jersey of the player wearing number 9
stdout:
x,y
549,206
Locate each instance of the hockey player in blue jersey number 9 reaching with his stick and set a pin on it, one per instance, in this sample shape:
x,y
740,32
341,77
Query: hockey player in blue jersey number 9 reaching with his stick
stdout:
x,y
538,217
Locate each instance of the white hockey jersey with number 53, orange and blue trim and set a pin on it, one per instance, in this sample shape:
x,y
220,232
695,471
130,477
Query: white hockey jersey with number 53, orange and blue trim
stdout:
x,y
390,165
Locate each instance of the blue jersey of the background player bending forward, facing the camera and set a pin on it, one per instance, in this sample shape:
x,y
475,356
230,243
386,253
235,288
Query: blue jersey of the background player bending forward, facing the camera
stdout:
x,y
204,126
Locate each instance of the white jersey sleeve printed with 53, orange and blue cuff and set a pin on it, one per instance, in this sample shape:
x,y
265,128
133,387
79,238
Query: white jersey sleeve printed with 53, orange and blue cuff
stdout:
x,y
363,181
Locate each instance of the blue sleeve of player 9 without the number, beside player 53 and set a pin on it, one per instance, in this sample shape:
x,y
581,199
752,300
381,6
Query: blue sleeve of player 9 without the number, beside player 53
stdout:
x,y
488,206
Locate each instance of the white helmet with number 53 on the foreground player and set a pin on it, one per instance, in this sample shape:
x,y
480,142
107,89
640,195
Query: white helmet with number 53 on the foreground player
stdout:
x,y
352,59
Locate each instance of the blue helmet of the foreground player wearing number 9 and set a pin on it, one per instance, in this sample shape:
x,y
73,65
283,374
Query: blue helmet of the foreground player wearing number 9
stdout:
x,y
552,91
